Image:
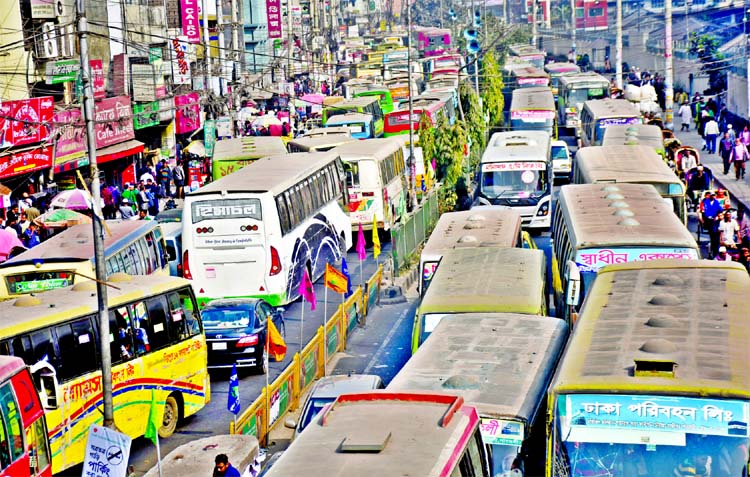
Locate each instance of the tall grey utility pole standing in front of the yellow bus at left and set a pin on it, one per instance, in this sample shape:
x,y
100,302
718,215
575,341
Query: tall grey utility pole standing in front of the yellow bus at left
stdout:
x,y
101,274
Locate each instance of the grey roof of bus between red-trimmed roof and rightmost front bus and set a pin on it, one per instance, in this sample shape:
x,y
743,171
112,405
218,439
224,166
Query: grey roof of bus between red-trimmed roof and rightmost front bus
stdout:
x,y
503,365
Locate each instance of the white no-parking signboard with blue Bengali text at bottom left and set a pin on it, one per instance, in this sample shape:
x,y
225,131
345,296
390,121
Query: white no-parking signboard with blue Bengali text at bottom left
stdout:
x,y
107,453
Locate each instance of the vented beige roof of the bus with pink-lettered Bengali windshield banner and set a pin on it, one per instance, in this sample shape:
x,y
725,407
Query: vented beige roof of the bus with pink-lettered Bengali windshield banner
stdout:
x,y
608,215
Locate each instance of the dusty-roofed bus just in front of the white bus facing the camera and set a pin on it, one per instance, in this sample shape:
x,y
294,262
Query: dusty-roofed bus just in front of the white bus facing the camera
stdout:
x,y
470,228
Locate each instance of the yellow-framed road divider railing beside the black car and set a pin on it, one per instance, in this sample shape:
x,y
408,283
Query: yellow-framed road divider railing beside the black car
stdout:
x,y
283,394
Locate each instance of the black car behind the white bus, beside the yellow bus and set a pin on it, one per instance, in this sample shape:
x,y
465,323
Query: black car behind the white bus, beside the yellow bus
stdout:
x,y
236,332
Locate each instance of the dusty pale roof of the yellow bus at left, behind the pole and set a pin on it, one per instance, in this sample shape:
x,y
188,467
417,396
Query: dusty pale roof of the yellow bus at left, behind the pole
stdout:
x,y
54,306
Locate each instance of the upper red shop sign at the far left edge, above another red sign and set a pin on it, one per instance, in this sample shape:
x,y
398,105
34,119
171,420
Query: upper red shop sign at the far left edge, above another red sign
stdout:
x,y
25,121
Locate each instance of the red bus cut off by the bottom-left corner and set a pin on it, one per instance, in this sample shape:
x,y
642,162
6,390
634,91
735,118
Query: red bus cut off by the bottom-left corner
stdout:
x,y
24,446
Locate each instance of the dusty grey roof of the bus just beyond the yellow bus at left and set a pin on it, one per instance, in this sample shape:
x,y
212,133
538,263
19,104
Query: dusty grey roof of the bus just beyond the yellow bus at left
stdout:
x,y
77,243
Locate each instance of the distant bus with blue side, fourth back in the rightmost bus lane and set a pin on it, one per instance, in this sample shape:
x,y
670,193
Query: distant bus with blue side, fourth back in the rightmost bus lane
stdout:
x,y
597,115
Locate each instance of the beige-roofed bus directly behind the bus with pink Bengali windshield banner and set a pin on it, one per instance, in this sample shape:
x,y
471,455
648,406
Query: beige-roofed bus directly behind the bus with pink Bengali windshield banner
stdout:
x,y
632,165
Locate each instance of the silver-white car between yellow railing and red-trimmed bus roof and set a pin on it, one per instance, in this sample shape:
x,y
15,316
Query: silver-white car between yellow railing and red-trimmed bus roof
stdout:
x,y
327,389
